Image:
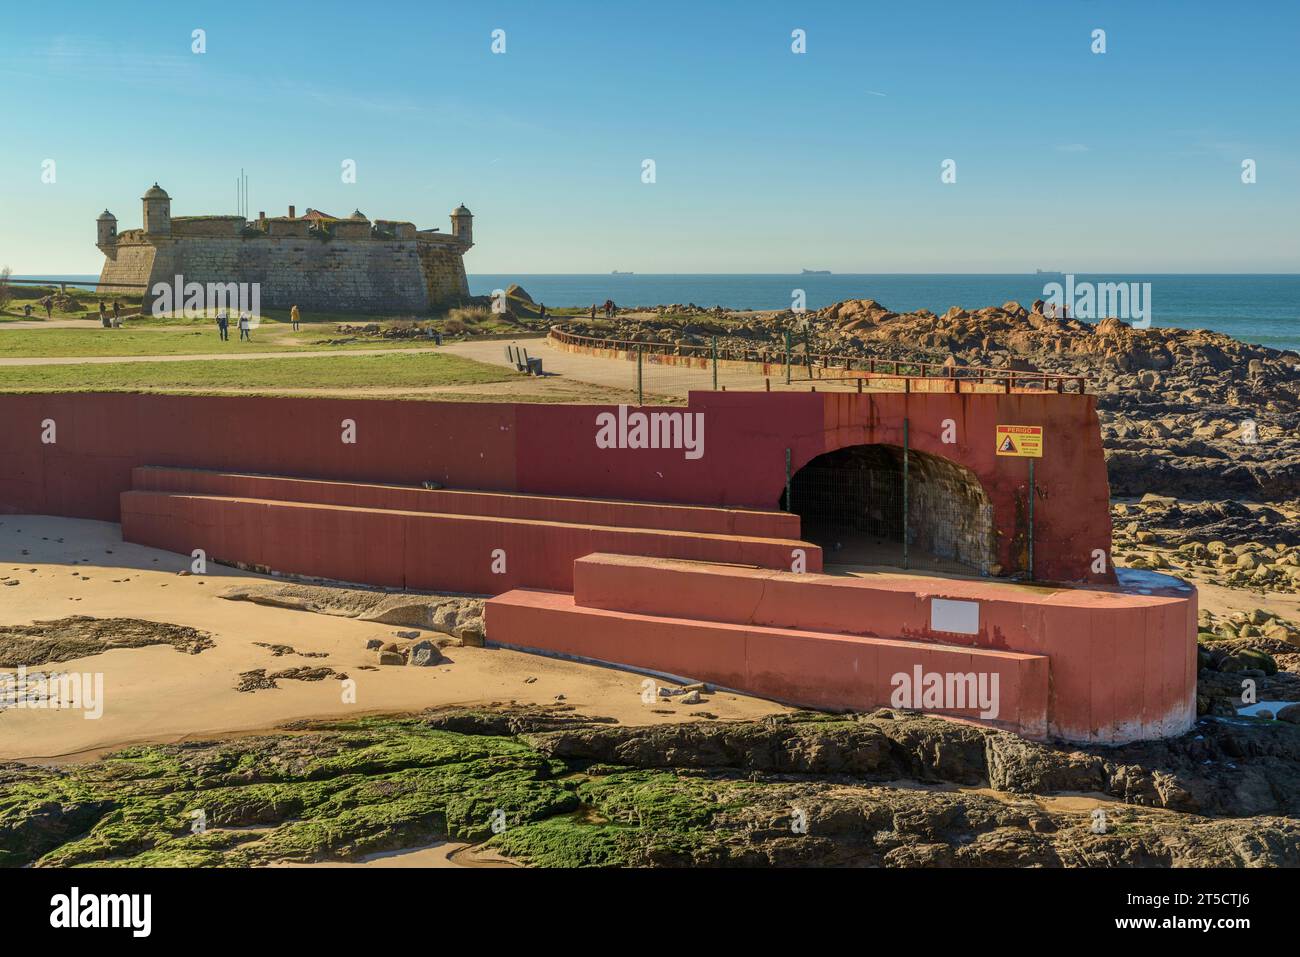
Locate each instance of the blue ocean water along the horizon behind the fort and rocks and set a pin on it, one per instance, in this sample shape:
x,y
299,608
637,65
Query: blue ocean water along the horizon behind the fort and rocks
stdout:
x,y
1264,310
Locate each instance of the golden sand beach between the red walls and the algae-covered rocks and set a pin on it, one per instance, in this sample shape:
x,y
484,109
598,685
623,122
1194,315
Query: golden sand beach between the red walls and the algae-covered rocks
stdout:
x,y
158,695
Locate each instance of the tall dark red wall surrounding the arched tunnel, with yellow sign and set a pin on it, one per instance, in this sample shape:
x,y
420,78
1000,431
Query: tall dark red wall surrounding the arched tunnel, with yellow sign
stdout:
x,y
552,451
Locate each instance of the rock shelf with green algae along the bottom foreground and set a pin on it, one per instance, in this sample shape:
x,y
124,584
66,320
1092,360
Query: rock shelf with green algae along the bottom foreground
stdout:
x,y
553,789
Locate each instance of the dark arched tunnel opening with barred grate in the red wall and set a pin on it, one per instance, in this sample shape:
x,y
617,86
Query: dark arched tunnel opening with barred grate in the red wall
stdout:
x,y
852,504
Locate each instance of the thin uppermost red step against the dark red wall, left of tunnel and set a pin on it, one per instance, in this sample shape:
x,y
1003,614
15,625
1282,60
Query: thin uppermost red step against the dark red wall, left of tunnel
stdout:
x,y
586,512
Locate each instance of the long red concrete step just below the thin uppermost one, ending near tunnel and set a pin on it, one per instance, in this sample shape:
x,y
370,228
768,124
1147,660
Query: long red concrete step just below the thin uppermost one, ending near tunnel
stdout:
x,y
405,549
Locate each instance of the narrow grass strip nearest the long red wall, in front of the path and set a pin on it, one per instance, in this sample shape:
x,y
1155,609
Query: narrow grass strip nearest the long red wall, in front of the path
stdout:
x,y
333,373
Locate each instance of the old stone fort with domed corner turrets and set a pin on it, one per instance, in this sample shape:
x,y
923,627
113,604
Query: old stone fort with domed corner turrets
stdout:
x,y
317,262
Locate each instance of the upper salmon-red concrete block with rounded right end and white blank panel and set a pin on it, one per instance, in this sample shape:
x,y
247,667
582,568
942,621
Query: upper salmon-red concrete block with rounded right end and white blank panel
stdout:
x,y
1124,665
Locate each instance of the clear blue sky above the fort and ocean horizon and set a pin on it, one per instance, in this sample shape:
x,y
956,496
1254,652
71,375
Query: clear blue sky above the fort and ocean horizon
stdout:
x,y
766,161
